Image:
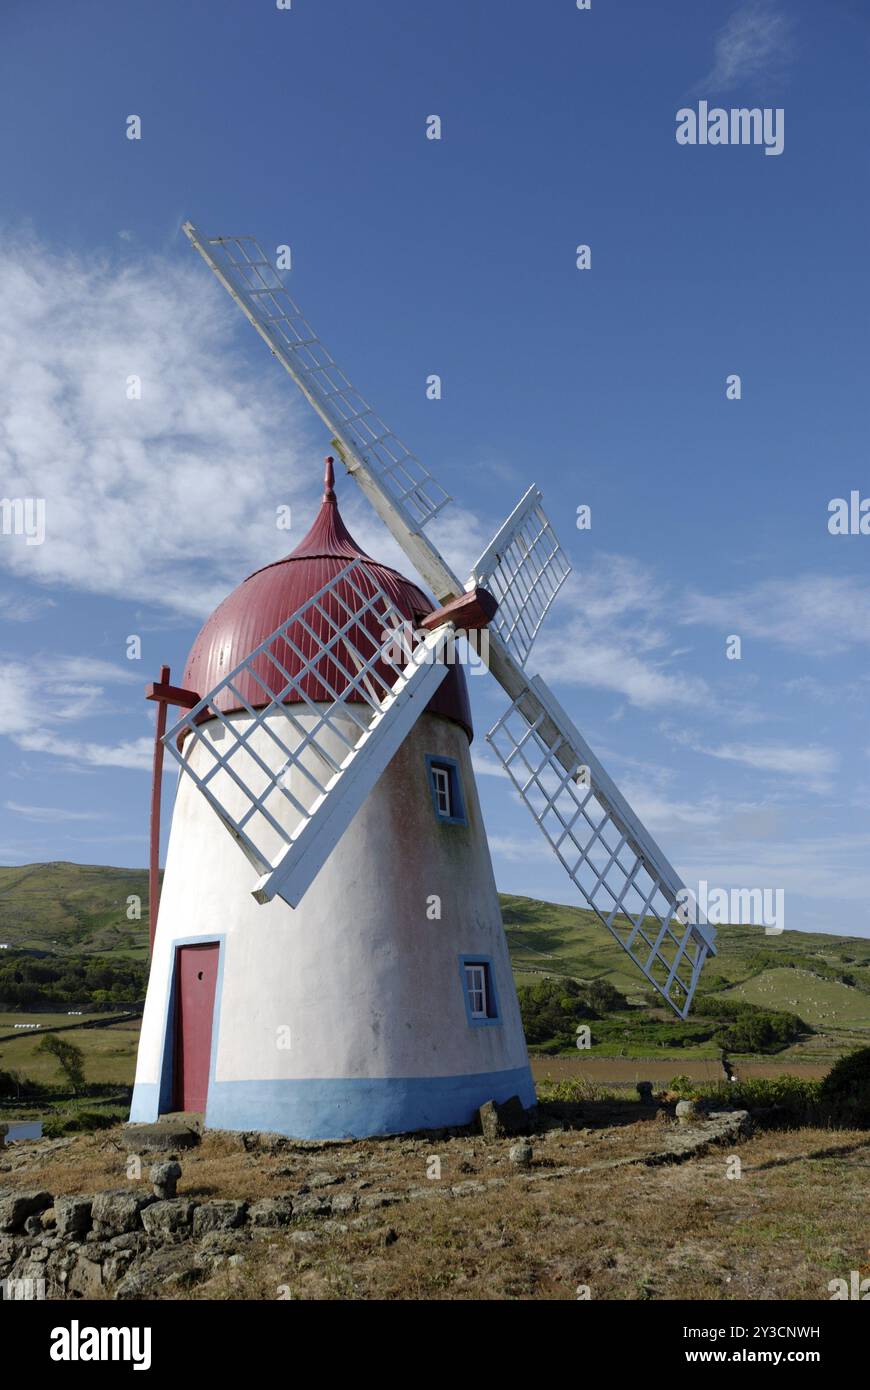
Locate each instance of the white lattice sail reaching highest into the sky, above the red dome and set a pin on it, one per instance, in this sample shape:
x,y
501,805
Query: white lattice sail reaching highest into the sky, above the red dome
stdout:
x,y
247,273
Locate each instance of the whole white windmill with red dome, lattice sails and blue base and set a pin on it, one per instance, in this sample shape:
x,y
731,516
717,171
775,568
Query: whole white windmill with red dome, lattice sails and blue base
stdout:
x,y
343,971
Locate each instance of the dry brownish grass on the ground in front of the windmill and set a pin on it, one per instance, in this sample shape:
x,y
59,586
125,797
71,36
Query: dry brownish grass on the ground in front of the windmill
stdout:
x,y
796,1220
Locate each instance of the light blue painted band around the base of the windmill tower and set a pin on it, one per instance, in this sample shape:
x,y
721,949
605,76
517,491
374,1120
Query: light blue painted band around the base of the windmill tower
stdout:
x,y
350,1109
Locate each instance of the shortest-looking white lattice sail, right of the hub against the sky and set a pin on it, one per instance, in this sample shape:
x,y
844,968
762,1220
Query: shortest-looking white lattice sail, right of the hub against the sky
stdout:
x,y
523,568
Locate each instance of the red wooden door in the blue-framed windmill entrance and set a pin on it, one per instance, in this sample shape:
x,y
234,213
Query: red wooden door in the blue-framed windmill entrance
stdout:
x,y
195,982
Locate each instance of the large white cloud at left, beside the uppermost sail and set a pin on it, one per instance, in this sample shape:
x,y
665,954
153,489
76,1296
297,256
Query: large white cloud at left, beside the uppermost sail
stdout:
x,y
167,500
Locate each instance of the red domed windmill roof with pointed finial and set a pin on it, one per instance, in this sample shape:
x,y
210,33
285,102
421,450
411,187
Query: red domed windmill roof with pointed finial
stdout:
x,y
269,597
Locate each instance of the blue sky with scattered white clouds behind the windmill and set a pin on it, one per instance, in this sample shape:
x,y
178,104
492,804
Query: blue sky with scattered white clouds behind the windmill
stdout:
x,y
413,256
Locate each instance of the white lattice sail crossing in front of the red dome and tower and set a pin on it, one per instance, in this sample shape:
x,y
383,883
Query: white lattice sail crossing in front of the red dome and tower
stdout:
x,y
290,744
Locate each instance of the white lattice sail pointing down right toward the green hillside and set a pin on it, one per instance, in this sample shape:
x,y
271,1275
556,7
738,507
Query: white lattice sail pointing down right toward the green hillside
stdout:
x,y
601,843
